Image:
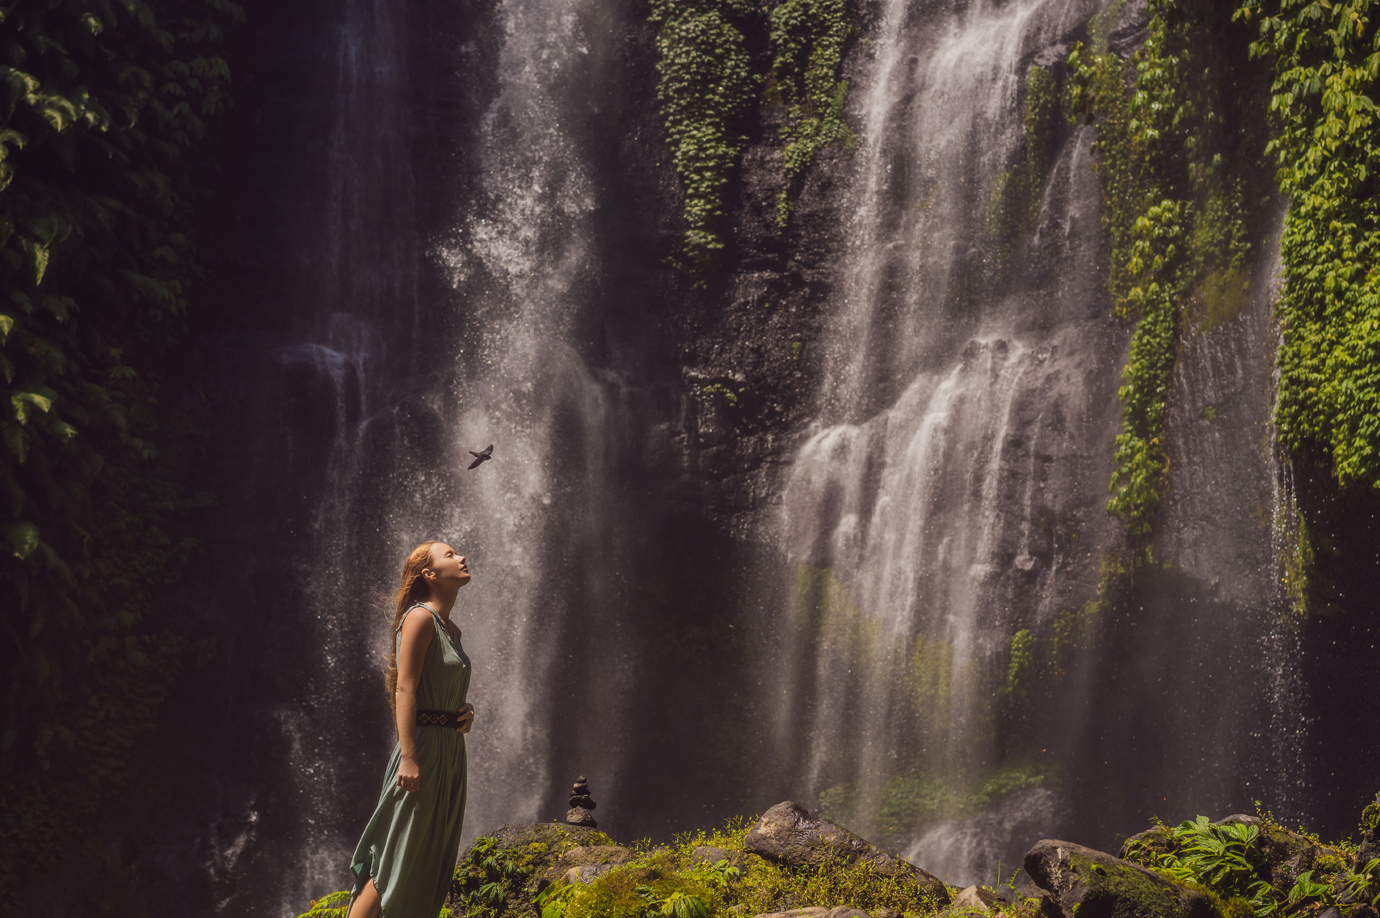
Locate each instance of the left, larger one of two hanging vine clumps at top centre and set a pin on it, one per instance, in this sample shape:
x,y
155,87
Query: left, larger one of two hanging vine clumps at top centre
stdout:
x,y
704,89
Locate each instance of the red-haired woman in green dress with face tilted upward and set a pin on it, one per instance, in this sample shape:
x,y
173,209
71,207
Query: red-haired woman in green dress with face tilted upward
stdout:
x,y
405,861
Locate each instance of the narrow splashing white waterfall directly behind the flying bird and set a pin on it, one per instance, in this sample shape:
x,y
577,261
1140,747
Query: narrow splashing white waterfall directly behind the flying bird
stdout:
x,y
524,266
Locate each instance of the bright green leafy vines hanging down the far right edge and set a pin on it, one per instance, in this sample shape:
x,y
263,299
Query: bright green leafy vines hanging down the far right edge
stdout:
x,y
1327,64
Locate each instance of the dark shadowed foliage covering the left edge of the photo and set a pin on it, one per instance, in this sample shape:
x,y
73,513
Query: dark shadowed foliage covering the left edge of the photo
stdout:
x,y
106,110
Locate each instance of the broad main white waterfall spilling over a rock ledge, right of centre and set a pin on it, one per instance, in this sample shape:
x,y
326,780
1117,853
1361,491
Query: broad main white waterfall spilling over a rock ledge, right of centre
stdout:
x,y
914,517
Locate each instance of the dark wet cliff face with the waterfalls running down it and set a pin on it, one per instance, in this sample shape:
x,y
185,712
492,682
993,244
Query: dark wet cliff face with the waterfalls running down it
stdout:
x,y
765,532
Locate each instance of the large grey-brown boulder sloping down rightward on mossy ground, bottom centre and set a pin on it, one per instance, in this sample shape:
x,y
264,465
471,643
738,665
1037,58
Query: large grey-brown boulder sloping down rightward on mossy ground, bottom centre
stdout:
x,y
790,836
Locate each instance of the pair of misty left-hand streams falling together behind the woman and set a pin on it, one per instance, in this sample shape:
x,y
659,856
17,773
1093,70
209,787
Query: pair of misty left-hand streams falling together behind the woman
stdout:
x,y
397,401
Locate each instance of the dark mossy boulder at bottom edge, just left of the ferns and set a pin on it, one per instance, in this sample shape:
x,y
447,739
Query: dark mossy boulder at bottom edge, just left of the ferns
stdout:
x,y
1098,886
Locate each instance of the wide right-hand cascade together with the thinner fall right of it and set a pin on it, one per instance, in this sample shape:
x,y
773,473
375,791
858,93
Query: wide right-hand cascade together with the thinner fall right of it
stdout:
x,y
952,498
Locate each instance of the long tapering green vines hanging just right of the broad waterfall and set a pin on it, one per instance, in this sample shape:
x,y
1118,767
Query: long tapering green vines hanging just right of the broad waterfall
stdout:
x,y
1175,209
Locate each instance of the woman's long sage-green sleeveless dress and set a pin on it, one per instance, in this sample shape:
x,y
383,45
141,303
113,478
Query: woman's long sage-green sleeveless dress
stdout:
x,y
411,846
